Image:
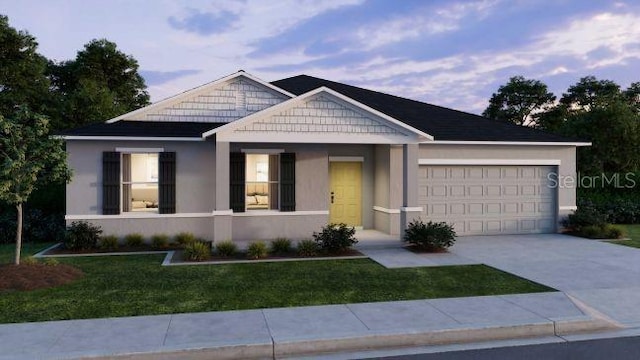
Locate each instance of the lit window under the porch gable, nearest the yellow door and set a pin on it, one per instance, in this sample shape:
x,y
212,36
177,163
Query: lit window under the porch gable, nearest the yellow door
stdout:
x,y
261,182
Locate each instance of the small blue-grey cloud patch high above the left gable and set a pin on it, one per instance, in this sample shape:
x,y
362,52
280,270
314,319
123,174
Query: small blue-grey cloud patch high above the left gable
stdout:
x,y
204,23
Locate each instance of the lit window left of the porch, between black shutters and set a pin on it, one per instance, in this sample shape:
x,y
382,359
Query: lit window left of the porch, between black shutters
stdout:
x,y
140,182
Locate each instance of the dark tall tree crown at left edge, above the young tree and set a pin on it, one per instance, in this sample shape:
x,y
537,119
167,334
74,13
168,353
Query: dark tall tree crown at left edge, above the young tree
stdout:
x,y
22,71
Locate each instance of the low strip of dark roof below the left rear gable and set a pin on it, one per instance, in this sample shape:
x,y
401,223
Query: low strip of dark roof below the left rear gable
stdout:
x,y
144,129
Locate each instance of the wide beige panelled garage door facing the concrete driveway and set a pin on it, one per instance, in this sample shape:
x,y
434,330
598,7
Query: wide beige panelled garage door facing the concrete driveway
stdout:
x,y
489,199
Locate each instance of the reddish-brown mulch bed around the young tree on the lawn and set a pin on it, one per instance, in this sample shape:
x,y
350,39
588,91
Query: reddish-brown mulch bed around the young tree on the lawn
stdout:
x,y
36,276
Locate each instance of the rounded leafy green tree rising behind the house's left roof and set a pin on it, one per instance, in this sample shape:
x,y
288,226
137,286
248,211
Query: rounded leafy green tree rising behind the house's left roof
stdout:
x,y
101,83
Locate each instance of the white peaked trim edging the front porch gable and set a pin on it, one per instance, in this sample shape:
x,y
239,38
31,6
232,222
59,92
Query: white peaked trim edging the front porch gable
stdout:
x,y
292,102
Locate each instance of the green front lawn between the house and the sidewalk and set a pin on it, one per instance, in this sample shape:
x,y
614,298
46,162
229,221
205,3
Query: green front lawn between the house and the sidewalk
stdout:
x,y
138,285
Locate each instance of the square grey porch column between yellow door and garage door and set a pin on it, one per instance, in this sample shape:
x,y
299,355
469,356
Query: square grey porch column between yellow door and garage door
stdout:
x,y
410,209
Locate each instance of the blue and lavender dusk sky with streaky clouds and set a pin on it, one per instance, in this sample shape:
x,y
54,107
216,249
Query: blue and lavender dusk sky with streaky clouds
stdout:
x,y
449,53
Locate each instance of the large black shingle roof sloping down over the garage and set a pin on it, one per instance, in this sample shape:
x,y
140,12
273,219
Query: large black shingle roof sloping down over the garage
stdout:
x,y
440,122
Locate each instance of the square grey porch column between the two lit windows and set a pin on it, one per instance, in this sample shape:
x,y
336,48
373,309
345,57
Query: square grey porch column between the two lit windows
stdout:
x,y
222,219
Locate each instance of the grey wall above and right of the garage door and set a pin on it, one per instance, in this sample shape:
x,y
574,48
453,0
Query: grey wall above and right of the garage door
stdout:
x,y
566,197
